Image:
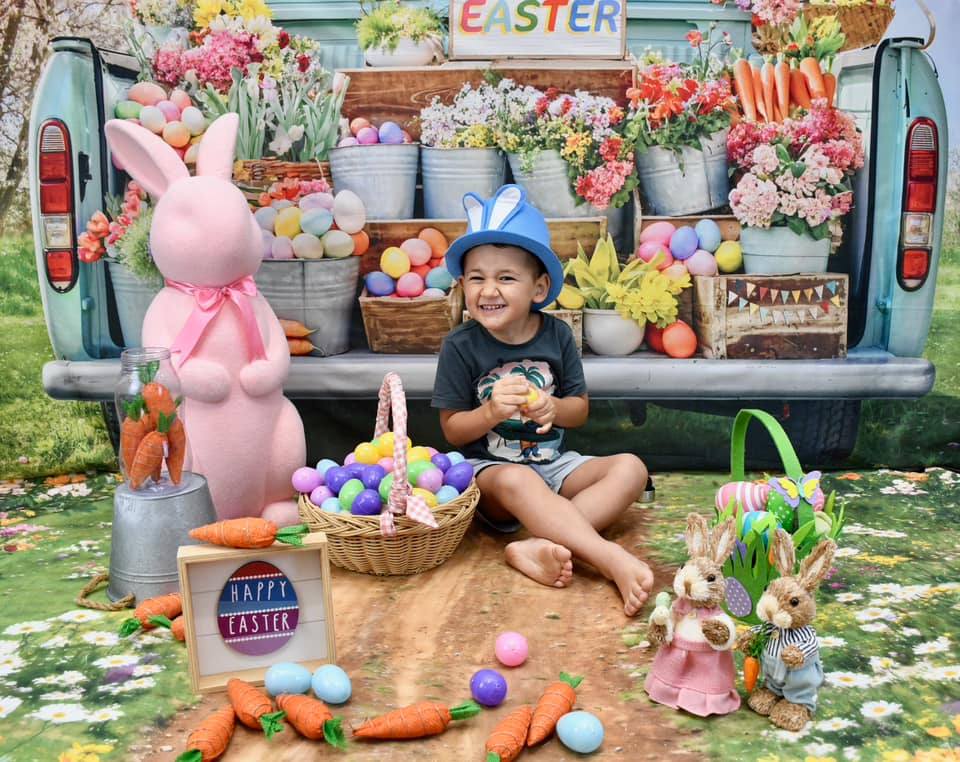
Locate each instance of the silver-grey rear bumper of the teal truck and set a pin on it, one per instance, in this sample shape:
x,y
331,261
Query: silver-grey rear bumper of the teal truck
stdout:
x,y
864,374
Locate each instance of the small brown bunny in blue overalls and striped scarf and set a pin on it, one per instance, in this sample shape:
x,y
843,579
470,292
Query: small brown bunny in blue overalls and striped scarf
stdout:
x,y
791,657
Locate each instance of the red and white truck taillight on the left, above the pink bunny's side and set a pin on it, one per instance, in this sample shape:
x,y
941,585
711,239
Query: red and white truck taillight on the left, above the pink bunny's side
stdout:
x,y
55,170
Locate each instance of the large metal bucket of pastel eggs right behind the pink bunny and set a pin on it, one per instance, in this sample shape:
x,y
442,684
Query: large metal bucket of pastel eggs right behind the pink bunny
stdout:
x,y
320,293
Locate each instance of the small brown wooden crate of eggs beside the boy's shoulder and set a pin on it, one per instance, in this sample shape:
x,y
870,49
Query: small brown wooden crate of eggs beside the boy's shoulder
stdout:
x,y
410,326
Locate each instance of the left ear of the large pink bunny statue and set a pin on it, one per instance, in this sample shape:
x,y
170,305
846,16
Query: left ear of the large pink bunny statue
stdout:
x,y
145,156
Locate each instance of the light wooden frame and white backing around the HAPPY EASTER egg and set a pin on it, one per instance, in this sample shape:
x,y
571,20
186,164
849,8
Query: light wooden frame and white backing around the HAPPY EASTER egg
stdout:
x,y
205,570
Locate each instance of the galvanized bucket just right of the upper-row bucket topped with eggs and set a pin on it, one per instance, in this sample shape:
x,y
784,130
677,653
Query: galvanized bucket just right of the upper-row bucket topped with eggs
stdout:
x,y
449,173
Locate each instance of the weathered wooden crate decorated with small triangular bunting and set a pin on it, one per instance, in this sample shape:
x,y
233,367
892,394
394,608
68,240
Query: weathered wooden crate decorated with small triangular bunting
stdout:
x,y
772,317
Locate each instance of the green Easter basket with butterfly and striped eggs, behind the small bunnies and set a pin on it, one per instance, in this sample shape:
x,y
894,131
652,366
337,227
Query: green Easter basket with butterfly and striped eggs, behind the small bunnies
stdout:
x,y
759,508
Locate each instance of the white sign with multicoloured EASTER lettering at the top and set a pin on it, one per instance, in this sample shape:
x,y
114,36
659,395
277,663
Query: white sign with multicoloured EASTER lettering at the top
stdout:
x,y
490,29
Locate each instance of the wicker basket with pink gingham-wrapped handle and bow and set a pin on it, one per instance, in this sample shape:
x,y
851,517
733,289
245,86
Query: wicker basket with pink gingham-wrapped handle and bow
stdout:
x,y
357,543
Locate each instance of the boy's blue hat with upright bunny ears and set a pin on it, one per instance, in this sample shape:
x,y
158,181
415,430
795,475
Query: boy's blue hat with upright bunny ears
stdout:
x,y
507,218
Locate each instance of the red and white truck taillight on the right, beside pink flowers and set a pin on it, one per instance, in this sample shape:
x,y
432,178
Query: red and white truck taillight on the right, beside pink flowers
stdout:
x,y
920,203
